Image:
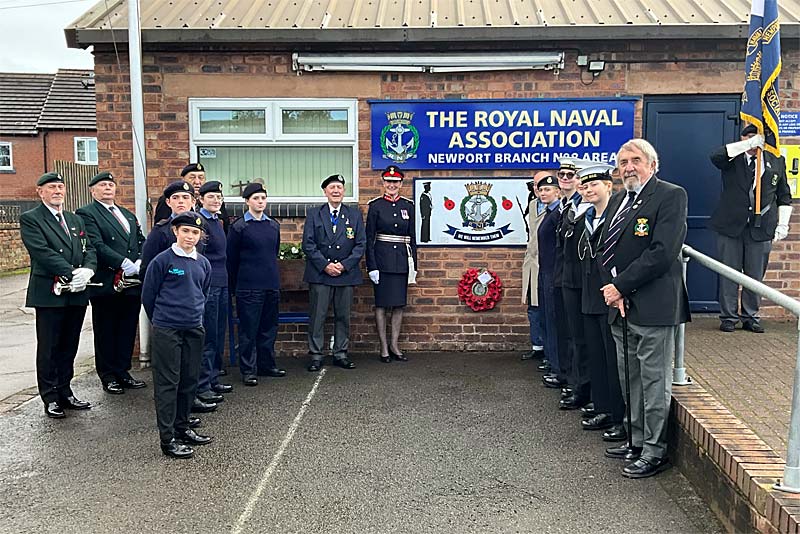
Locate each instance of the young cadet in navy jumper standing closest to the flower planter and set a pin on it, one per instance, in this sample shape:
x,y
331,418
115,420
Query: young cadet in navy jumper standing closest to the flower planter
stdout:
x,y
253,243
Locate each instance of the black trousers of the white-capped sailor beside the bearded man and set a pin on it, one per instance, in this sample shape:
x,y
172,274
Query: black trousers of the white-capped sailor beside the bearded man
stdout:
x,y
602,357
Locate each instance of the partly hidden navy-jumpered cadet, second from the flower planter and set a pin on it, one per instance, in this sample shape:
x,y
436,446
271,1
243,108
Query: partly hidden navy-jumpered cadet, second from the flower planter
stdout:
x,y
216,313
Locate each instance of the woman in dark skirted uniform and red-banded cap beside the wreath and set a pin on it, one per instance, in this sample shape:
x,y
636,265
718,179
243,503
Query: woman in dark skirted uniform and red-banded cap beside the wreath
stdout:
x,y
391,257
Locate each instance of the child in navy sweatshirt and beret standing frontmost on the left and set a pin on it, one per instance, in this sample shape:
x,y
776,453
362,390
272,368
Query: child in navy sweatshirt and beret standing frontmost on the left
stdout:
x,y
174,295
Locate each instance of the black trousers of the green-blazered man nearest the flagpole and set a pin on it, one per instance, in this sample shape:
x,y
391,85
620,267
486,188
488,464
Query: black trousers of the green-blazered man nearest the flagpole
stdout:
x,y
115,319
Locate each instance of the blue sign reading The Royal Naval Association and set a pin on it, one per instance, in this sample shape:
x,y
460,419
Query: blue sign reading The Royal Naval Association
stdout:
x,y
497,134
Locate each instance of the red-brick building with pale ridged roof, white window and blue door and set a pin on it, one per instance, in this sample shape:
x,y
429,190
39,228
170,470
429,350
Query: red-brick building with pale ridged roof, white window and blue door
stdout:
x,y
223,85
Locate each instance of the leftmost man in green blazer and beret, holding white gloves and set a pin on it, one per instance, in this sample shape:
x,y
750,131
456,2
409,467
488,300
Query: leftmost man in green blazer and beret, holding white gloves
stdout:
x,y
61,252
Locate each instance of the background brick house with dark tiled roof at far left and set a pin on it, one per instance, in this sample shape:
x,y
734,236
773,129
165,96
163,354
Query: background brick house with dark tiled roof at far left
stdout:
x,y
44,118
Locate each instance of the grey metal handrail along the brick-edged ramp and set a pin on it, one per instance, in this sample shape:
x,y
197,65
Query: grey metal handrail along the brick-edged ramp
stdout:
x,y
791,472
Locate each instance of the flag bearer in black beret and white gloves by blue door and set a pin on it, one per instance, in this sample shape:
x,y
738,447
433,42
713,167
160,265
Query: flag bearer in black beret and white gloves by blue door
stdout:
x,y
744,239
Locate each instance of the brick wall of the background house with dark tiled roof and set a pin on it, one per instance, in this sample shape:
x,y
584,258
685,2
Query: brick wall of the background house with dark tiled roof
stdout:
x,y
29,160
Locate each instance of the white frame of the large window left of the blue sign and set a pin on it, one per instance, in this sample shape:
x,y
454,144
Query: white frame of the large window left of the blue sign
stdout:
x,y
273,135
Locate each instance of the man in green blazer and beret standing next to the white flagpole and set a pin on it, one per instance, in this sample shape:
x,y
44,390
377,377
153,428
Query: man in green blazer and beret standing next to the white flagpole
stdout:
x,y
117,238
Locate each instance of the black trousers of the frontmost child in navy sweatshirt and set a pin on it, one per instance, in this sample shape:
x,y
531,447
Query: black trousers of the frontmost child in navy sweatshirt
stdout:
x,y
175,360
